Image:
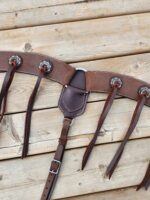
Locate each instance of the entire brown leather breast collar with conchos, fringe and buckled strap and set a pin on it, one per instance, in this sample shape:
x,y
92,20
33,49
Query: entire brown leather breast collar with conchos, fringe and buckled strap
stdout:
x,y
77,85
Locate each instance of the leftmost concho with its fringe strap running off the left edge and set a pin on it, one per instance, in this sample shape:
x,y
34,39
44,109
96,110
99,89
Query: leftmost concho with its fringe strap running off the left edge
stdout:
x,y
14,63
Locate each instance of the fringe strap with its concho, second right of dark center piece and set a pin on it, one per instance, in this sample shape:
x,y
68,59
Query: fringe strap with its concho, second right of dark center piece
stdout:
x,y
144,94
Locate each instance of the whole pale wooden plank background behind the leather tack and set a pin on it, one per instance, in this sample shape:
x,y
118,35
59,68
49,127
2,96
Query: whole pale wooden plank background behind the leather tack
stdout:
x,y
105,35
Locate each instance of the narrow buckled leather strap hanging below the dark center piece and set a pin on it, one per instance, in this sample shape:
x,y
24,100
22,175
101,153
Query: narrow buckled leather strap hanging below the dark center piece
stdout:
x,y
56,162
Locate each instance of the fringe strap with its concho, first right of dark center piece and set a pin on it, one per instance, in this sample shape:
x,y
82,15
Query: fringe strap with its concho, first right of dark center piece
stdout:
x,y
116,84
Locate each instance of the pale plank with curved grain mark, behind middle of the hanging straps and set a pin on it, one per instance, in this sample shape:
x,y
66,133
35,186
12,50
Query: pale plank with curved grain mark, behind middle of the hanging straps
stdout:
x,y
46,127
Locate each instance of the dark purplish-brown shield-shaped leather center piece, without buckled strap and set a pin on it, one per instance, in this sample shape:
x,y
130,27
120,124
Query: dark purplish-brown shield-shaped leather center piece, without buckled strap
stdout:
x,y
73,100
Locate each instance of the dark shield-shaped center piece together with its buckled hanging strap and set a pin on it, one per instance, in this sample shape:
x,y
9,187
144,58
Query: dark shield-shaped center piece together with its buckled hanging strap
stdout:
x,y
72,103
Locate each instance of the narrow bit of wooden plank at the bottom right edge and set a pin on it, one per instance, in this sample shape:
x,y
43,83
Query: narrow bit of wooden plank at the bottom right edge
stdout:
x,y
122,194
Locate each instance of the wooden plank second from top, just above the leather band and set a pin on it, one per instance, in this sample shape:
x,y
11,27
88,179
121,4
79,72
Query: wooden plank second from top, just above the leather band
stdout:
x,y
75,41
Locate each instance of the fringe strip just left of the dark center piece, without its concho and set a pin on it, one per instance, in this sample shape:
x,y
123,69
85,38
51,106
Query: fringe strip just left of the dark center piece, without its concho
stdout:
x,y
29,115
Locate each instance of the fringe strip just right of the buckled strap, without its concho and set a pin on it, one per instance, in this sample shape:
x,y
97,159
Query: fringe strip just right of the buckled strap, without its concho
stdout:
x,y
102,118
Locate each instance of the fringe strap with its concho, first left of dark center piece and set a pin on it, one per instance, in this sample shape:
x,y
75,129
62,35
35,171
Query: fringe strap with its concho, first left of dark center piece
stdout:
x,y
45,67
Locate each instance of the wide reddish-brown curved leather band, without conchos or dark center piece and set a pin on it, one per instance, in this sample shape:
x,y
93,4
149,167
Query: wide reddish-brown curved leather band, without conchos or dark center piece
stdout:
x,y
96,81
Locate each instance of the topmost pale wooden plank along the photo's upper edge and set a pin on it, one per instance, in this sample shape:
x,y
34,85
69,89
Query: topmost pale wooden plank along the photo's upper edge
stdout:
x,y
31,13
